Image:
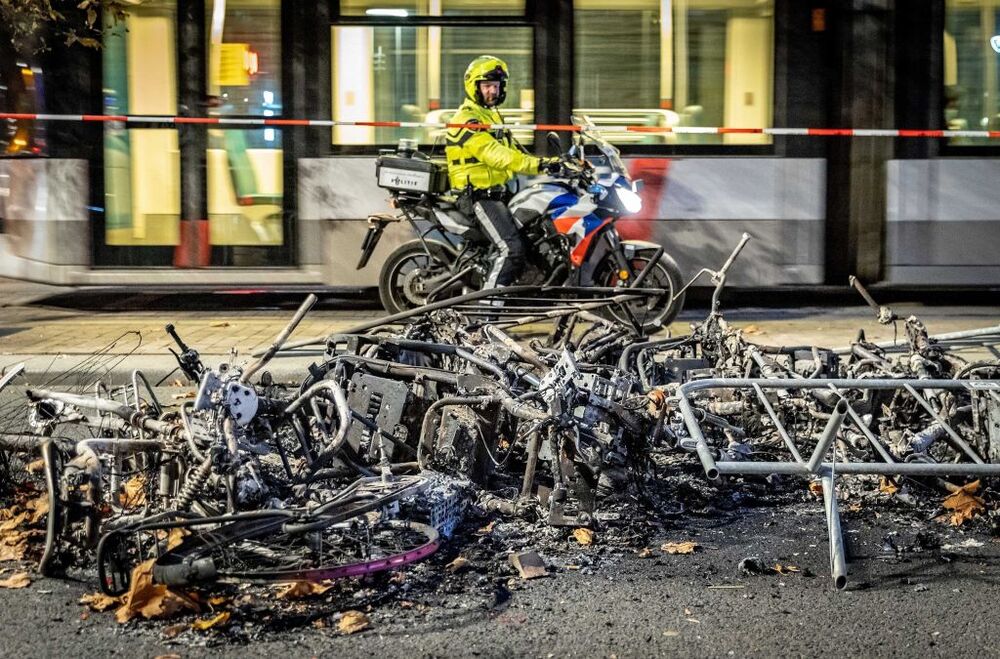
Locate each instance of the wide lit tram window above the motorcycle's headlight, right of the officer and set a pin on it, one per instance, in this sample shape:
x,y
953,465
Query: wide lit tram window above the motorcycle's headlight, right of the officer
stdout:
x,y
675,63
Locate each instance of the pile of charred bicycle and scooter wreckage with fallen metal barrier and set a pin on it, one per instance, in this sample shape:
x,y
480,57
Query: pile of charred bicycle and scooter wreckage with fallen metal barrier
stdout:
x,y
535,405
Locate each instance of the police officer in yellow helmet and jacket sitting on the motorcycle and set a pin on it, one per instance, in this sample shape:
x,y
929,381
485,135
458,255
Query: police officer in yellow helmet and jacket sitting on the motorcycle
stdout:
x,y
481,162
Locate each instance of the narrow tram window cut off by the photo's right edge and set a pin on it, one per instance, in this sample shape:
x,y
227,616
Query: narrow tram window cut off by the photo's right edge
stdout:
x,y
971,73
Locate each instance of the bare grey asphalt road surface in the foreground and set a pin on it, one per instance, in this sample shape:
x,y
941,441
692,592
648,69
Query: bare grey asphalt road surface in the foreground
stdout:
x,y
938,602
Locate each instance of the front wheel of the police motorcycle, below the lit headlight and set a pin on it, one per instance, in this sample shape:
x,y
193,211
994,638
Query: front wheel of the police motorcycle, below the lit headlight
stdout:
x,y
654,314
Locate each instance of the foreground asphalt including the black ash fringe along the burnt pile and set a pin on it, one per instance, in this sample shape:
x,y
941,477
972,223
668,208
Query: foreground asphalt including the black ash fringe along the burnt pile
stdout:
x,y
917,587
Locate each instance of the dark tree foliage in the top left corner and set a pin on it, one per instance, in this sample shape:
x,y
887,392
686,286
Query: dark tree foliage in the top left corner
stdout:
x,y
32,25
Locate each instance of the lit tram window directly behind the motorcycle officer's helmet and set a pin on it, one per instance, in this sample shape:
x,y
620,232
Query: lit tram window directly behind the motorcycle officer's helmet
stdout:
x,y
408,73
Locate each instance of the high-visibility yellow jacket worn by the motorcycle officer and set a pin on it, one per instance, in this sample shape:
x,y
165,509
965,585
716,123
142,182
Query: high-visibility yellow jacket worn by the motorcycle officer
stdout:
x,y
483,158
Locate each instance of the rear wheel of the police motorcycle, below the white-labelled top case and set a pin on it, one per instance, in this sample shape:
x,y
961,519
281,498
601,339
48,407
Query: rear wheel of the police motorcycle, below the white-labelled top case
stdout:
x,y
406,277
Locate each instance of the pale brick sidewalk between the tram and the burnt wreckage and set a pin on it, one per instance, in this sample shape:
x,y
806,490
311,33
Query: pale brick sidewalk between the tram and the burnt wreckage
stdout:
x,y
52,339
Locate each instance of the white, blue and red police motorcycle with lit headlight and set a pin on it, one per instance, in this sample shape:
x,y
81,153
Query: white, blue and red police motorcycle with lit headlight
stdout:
x,y
567,222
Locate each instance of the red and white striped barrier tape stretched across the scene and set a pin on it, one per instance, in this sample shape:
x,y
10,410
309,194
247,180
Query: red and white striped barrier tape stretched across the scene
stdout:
x,y
680,130
